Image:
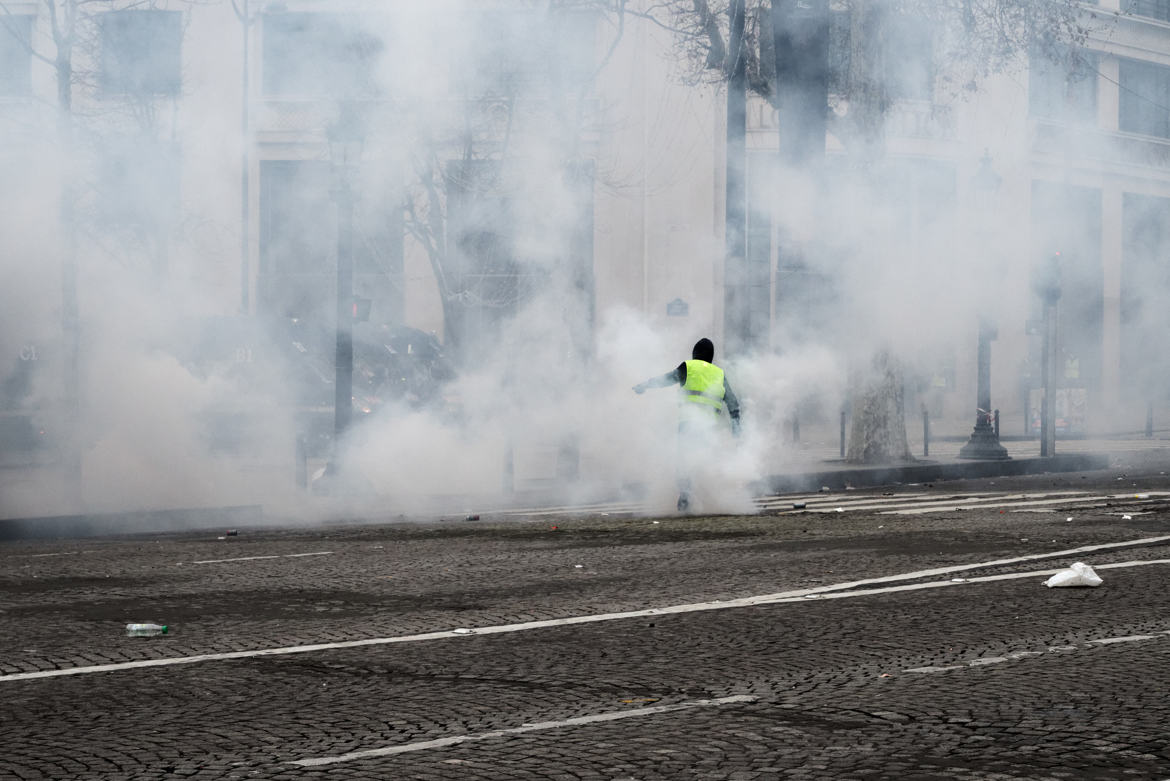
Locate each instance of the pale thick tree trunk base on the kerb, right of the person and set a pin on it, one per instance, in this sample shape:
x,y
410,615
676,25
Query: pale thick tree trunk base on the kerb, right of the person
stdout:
x,y
878,436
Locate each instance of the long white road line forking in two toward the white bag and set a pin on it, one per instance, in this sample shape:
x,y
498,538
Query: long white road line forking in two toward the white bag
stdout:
x,y
796,596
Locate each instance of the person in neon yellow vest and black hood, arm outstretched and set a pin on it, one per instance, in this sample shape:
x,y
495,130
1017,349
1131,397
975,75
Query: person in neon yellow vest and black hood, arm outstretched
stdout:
x,y
706,395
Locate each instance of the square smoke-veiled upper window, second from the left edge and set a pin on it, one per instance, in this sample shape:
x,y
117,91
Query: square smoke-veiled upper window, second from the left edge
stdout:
x,y
141,53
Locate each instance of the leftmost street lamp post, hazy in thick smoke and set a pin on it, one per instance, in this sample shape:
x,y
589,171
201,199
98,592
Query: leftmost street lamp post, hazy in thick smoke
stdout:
x,y
346,140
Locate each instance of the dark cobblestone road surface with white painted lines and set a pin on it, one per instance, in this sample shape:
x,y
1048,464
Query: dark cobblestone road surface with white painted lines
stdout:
x,y
900,633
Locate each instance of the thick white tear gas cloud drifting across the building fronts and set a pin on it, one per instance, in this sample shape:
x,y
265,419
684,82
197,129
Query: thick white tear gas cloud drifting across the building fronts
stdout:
x,y
533,189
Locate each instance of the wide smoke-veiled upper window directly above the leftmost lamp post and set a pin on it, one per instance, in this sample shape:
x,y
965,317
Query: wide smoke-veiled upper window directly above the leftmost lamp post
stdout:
x,y
314,56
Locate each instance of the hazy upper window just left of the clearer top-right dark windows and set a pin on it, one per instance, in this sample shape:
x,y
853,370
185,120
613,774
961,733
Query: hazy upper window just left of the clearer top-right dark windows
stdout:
x,y
1064,89
